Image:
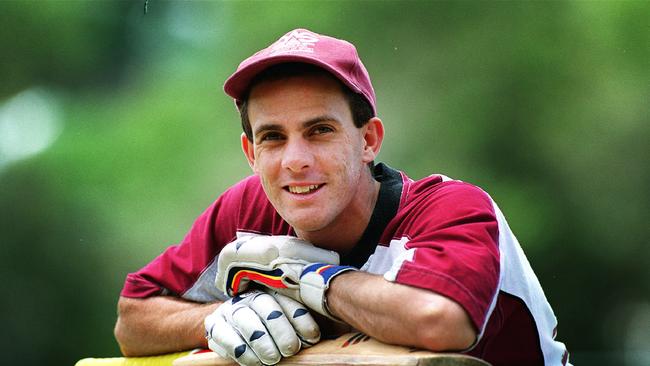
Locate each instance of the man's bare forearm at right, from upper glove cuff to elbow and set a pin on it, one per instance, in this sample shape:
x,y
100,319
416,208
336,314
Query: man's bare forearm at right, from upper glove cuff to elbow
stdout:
x,y
399,314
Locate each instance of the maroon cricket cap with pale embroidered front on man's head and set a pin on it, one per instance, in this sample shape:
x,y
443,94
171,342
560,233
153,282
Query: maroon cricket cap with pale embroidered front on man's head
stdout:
x,y
336,56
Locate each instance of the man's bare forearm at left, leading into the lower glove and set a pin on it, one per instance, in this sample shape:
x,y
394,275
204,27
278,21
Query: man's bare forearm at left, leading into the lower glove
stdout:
x,y
160,324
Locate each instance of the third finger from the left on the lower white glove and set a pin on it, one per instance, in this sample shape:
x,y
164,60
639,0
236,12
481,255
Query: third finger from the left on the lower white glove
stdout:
x,y
276,322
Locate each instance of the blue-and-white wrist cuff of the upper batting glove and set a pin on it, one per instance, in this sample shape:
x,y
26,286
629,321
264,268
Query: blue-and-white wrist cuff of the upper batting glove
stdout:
x,y
314,282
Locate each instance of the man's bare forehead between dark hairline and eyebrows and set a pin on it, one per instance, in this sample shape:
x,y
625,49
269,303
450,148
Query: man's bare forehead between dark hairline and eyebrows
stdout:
x,y
297,97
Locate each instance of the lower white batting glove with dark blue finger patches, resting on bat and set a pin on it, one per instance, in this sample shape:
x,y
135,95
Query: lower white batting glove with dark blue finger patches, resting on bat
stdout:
x,y
260,327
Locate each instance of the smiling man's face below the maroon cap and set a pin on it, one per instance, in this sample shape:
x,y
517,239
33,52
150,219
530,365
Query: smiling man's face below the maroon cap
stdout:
x,y
310,157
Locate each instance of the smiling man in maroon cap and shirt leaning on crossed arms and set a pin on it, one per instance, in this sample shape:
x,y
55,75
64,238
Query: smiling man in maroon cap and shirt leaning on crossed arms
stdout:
x,y
439,267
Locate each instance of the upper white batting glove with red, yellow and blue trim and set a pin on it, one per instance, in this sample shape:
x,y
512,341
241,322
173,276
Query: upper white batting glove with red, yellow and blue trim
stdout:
x,y
291,266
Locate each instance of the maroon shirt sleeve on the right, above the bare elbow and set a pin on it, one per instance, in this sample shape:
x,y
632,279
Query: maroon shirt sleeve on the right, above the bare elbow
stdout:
x,y
453,241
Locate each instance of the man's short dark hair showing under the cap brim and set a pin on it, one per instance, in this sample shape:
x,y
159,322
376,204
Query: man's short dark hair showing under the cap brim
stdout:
x,y
361,110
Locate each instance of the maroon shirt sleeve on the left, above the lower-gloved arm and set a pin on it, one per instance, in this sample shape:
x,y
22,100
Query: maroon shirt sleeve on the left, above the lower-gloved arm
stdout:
x,y
179,267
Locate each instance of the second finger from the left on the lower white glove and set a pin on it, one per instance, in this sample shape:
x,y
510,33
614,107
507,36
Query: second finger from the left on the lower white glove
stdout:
x,y
251,328
